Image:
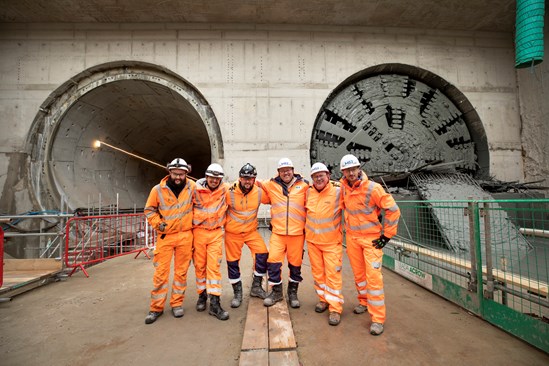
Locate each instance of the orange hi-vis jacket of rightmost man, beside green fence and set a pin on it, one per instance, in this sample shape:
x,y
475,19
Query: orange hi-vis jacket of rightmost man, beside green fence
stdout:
x,y
363,205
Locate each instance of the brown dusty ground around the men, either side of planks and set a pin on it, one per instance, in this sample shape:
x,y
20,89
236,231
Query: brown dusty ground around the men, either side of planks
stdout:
x,y
100,321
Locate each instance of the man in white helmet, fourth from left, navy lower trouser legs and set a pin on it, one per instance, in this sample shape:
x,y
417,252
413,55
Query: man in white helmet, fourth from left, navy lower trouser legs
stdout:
x,y
286,194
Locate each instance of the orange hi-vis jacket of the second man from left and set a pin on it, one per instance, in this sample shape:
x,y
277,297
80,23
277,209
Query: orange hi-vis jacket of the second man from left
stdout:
x,y
209,206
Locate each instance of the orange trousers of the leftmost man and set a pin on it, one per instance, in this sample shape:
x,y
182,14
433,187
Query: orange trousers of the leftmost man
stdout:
x,y
180,247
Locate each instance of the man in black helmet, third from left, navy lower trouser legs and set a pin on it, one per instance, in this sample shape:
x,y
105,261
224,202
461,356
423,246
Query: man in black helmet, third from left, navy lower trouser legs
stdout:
x,y
244,198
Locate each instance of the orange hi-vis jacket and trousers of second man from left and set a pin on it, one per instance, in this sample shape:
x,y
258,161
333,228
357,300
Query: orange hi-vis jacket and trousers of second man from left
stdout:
x,y
208,219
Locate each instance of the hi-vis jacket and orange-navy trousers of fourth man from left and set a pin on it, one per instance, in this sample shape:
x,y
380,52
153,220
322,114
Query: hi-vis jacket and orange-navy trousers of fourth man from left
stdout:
x,y
288,224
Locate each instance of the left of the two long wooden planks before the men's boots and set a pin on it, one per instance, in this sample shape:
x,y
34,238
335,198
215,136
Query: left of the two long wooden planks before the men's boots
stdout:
x,y
256,332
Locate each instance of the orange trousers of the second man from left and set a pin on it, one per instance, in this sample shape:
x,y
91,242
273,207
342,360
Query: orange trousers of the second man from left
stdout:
x,y
207,257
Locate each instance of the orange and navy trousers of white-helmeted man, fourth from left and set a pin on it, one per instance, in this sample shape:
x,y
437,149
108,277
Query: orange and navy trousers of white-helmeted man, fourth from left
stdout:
x,y
280,246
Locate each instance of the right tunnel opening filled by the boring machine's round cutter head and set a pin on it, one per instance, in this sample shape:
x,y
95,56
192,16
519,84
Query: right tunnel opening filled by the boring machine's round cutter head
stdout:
x,y
398,119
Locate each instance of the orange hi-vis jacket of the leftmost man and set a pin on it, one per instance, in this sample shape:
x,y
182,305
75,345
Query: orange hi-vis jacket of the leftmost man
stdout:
x,y
163,206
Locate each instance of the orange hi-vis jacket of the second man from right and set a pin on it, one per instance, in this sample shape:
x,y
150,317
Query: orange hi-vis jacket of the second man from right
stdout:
x,y
323,224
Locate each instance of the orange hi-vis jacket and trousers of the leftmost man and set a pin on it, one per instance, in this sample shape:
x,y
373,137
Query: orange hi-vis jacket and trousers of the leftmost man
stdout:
x,y
176,240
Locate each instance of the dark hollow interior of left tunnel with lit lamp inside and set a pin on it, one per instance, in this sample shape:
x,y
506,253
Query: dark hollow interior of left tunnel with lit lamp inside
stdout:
x,y
138,116
